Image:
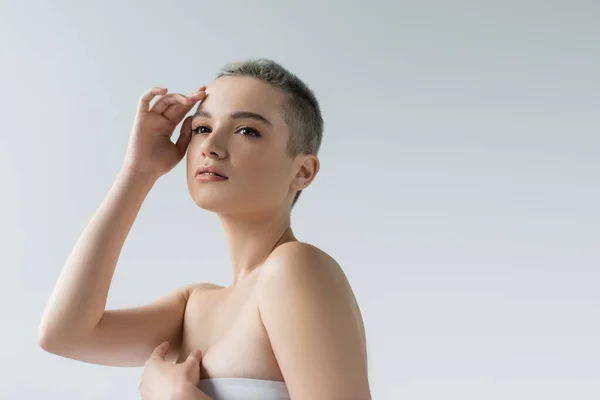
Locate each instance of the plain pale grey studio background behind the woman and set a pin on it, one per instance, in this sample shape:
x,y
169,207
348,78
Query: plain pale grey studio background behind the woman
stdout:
x,y
459,184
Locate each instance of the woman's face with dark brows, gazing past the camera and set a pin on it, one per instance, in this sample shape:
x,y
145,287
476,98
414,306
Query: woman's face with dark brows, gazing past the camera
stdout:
x,y
240,130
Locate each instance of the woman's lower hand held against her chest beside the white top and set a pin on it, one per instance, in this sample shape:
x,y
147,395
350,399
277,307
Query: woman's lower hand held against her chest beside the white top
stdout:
x,y
162,379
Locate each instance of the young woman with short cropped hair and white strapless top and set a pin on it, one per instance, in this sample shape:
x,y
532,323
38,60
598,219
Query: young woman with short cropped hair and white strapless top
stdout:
x,y
288,326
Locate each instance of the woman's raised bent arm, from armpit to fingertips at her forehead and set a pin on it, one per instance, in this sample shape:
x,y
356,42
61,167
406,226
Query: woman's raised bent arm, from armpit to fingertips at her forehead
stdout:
x,y
75,323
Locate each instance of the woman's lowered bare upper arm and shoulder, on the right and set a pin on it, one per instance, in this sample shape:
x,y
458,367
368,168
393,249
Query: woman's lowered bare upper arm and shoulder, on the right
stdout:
x,y
313,322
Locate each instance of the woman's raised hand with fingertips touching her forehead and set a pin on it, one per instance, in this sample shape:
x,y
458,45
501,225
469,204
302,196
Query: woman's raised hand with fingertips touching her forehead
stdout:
x,y
150,150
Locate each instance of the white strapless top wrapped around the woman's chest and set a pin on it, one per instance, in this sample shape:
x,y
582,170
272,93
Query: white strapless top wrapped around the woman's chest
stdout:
x,y
244,389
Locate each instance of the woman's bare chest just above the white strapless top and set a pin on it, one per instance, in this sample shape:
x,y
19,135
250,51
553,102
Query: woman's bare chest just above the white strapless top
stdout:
x,y
226,327
